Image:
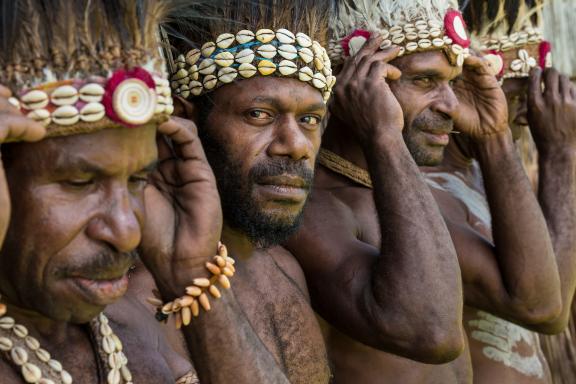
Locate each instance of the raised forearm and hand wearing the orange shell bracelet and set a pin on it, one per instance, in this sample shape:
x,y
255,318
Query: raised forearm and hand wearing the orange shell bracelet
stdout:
x,y
182,231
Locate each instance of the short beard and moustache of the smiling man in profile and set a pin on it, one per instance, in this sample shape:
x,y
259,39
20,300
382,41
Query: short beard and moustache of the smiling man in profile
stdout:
x,y
423,154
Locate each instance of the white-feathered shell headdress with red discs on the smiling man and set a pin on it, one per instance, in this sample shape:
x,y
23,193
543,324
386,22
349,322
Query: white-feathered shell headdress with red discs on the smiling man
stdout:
x,y
413,25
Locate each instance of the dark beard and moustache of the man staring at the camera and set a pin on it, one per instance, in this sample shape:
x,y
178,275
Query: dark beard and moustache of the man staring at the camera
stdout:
x,y
240,209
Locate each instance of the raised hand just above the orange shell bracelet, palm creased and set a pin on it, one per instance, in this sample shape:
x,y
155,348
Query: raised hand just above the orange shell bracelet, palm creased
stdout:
x,y
183,214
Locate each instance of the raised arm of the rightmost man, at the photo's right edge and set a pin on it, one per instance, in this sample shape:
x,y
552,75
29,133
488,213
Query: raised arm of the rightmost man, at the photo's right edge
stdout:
x,y
552,116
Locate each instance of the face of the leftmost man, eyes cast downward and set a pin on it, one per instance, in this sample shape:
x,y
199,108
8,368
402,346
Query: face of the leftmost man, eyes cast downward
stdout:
x,y
77,214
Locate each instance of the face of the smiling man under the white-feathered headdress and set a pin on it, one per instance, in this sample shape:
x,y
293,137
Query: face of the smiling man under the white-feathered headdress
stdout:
x,y
425,93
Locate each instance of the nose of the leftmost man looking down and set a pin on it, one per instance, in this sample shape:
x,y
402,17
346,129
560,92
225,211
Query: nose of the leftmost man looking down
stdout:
x,y
117,224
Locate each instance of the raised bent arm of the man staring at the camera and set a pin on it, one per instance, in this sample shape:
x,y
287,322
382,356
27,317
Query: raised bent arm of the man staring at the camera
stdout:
x,y
405,296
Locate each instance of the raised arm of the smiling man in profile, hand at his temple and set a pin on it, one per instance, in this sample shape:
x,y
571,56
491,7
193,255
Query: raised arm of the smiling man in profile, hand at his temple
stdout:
x,y
517,276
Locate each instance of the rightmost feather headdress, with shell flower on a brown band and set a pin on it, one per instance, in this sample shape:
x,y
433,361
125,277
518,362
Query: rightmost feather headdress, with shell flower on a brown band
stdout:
x,y
508,33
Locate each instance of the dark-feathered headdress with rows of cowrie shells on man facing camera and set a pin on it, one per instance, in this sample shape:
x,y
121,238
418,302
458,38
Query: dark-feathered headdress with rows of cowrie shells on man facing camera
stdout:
x,y
243,38
